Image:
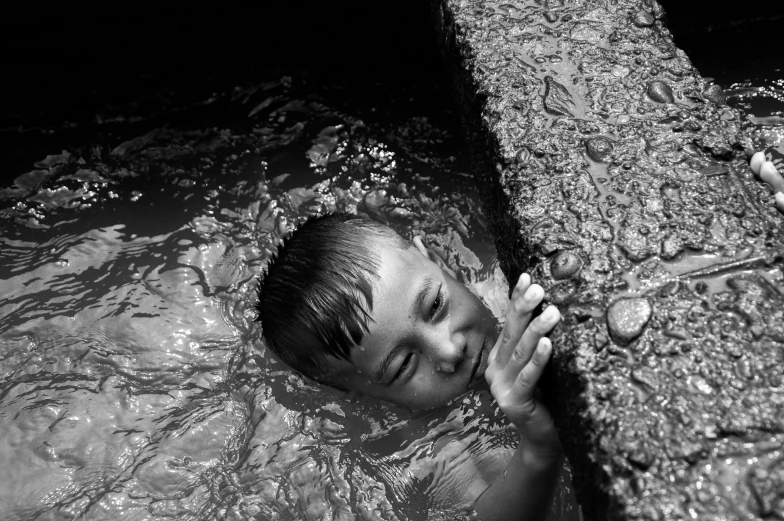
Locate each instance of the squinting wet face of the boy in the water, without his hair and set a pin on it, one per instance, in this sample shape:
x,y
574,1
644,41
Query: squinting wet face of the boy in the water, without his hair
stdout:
x,y
429,337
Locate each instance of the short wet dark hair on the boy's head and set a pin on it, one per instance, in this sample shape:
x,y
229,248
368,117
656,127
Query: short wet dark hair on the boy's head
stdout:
x,y
315,295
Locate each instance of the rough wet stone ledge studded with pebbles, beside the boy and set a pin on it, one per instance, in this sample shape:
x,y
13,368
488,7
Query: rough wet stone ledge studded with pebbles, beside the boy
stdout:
x,y
611,170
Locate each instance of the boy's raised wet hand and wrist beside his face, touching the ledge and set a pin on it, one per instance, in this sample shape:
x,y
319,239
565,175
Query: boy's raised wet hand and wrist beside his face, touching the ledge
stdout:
x,y
516,363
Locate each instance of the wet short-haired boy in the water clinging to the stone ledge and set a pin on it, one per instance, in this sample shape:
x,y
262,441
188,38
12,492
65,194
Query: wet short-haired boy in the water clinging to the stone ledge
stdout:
x,y
353,305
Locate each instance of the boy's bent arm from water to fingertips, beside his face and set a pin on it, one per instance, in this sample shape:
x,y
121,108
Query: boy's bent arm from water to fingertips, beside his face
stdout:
x,y
517,361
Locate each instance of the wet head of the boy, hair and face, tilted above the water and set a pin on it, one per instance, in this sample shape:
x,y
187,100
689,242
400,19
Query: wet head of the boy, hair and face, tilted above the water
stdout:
x,y
351,304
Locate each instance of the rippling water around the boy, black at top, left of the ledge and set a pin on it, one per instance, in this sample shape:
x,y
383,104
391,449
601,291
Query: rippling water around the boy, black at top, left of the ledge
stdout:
x,y
157,156
